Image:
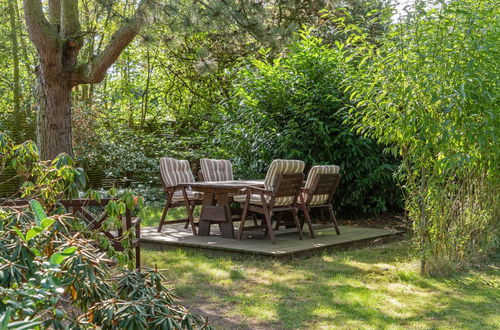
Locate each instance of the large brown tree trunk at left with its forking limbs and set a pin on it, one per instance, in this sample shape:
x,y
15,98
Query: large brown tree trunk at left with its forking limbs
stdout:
x,y
58,43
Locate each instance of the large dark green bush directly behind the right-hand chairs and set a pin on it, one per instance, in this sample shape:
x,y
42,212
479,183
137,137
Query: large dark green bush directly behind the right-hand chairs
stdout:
x,y
293,107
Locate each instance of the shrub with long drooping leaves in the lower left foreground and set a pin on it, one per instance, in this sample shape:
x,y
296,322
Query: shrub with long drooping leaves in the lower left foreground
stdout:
x,y
52,275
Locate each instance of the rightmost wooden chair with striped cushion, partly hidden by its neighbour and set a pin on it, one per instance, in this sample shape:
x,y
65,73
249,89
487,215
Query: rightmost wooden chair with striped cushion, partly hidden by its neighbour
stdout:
x,y
319,190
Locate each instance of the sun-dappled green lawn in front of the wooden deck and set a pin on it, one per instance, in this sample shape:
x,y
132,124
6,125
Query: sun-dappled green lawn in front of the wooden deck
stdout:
x,y
376,287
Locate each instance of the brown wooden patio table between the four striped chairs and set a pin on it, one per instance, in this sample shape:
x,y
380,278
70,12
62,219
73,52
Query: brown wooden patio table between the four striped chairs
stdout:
x,y
215,206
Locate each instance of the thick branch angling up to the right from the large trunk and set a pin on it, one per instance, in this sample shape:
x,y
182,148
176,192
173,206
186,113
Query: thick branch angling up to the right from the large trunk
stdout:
x,y
112,51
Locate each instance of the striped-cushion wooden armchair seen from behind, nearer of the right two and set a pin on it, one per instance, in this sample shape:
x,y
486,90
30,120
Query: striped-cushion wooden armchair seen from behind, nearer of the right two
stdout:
x,y
282,187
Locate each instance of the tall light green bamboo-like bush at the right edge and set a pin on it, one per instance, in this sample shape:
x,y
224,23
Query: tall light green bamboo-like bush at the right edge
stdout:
x,y
431,91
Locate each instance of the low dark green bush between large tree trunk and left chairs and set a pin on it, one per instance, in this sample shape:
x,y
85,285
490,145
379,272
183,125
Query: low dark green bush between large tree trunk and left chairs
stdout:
x,y
119,151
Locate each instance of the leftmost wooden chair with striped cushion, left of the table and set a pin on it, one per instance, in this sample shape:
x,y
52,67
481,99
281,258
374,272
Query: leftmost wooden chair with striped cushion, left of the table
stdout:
x,y
172,173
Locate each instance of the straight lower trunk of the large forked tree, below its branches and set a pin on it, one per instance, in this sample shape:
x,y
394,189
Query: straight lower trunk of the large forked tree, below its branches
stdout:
x,y
54,119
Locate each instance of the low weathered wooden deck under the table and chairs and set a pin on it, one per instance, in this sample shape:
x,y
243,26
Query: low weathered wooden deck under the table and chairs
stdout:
x,y
287,241
